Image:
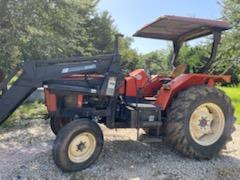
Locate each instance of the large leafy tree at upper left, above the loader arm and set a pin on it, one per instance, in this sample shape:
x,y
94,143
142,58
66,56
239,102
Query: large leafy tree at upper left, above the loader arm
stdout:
x,y
31,30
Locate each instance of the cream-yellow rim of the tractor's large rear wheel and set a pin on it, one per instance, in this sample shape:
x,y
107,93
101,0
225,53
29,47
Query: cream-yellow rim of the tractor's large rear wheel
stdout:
x,y
207,124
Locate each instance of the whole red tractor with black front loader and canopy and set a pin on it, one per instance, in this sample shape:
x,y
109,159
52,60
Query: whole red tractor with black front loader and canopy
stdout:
x,y
194,117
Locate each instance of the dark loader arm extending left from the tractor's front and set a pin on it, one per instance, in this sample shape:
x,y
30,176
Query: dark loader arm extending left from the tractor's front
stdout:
x,y
34,74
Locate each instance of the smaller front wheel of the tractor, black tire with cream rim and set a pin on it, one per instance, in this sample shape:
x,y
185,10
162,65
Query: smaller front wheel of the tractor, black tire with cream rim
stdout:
x,y
77,145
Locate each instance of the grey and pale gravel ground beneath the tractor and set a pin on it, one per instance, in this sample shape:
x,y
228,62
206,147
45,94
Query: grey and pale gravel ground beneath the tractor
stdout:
x,y
25,153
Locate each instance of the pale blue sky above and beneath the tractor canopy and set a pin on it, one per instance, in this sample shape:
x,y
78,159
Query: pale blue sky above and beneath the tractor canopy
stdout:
x,y
131,15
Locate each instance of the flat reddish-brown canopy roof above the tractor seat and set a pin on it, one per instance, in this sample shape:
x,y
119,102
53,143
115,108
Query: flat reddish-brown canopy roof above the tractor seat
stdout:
x,y
181,28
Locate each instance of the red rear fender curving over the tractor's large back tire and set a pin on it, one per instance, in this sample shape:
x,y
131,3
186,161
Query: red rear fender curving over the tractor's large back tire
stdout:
x,y
185,81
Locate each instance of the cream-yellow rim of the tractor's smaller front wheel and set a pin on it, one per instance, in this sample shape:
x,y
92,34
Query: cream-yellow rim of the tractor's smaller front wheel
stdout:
x,y
82,147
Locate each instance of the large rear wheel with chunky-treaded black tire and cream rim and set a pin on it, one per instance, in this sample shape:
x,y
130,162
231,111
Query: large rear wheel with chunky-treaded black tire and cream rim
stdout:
x,y
200,122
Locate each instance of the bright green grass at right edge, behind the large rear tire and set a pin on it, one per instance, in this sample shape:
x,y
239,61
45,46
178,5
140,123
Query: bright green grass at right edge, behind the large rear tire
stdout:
x,y
234,94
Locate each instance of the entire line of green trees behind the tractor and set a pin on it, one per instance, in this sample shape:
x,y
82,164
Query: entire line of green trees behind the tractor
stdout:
x,y
32,30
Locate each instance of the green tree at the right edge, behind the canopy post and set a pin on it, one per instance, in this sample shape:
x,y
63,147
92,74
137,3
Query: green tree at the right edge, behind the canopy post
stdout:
x,y
228,60
